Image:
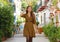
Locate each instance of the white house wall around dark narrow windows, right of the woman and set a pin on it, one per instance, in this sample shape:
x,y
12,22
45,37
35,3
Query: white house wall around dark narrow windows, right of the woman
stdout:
x,y
42,14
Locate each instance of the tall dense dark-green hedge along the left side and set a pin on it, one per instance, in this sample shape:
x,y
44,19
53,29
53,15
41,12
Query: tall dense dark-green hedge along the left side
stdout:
x,y
6,19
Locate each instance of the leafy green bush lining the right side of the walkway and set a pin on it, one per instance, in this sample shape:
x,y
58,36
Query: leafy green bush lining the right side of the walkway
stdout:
x,y
51,32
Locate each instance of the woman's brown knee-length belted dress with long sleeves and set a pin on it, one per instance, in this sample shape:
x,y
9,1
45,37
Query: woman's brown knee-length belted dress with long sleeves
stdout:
x,y
28,27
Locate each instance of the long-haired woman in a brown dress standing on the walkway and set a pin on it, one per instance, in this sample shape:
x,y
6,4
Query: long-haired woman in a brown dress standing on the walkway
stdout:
x,y
29,32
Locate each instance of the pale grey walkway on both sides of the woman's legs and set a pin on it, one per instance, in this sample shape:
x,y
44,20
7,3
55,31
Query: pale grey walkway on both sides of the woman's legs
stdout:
x,y
20,38
